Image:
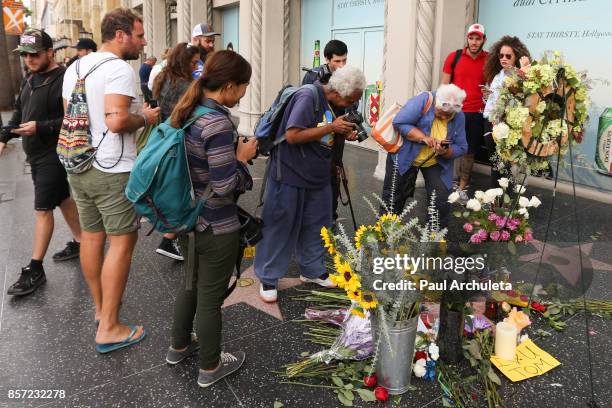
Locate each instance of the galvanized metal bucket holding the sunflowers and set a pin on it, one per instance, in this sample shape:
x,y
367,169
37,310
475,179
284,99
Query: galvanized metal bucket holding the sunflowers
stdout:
x,y
394,363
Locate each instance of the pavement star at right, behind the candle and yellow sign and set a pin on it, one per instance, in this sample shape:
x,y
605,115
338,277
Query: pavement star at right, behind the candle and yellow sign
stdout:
x,y
565,259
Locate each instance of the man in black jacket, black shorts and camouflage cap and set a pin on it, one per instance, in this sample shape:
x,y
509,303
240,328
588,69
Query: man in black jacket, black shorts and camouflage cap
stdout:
x,y
37,119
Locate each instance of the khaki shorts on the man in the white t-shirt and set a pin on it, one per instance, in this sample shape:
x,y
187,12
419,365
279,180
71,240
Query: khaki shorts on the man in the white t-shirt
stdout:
x,y
101,201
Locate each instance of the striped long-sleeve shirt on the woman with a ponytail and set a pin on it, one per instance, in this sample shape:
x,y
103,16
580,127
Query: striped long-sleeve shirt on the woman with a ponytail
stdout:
x,y
212,159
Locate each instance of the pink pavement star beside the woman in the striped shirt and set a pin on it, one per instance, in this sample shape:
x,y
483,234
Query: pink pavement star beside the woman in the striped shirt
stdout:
x,y
247,291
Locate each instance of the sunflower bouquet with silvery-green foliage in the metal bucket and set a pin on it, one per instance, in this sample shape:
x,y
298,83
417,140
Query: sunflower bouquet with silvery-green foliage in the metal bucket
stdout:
x,y
359,273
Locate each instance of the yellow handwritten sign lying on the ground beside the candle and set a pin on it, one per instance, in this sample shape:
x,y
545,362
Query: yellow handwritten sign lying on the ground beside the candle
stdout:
x,y
530,361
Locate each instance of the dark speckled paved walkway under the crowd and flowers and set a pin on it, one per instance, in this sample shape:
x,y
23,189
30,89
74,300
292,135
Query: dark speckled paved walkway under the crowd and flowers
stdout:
x,y
46,339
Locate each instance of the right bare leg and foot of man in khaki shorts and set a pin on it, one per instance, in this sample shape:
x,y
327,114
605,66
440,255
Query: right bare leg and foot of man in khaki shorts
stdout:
x,y
115,271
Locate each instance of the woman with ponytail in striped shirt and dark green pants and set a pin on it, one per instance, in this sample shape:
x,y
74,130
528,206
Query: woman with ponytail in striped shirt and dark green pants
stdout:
x,y
217,163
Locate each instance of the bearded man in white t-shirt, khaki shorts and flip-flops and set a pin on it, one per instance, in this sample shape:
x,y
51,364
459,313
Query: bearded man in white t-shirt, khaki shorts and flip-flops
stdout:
x,y
104,211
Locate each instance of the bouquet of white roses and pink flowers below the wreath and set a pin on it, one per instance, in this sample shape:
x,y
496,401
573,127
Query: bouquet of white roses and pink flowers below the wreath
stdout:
x,y
492,216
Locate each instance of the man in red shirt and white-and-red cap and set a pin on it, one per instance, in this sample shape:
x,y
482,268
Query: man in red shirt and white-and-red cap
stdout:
x,y
465,68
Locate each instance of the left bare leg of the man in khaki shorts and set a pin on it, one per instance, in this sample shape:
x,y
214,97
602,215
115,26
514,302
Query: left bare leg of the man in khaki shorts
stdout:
x,y
92,257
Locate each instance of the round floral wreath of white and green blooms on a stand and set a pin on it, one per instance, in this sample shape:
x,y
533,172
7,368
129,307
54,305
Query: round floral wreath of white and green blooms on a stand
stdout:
x,y
539,107
